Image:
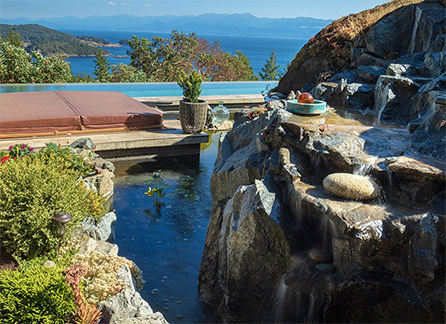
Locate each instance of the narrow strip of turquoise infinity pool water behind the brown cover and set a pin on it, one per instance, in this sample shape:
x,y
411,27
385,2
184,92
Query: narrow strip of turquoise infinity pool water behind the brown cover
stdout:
x,y
147,89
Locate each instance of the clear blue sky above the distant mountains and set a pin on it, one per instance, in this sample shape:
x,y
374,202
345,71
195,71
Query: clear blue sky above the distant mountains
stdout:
x,y
325,9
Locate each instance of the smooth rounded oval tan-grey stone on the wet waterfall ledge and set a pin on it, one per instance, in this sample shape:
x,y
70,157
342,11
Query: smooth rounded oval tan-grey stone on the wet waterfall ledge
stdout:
x,y
351,186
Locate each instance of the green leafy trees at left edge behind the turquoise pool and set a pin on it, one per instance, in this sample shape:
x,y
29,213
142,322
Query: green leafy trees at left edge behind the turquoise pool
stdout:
x,y
18,66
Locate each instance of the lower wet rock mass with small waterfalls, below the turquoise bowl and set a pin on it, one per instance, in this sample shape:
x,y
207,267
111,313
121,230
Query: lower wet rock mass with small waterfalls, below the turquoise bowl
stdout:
x,y
385,245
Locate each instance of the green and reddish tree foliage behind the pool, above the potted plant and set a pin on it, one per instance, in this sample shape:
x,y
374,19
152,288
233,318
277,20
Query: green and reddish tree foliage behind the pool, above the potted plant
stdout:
x,y
162,59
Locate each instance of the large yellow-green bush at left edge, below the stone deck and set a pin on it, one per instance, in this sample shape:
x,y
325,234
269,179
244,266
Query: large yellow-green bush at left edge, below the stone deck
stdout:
x,y
34,188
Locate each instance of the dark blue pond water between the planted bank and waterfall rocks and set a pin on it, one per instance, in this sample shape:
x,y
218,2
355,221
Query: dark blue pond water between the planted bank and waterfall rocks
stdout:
x,y
167,242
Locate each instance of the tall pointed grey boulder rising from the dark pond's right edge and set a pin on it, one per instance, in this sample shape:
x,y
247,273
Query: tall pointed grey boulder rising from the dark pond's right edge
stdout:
x,y
245,254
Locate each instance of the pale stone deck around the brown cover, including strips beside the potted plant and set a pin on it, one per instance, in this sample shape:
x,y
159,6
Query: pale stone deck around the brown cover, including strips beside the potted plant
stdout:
x,y
169,141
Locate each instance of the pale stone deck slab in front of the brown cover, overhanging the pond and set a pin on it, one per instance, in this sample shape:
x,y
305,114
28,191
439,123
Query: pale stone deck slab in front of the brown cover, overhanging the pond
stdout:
x,y
136,145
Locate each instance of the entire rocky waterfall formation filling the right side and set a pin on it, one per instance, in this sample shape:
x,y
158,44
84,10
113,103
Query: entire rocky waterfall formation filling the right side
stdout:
x,y
384,257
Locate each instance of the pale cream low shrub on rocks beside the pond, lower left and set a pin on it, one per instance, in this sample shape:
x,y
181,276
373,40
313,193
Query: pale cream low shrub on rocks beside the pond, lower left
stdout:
x,y
100,278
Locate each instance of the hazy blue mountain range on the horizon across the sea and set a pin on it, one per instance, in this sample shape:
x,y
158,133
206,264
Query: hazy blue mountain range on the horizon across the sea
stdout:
x,y
206,24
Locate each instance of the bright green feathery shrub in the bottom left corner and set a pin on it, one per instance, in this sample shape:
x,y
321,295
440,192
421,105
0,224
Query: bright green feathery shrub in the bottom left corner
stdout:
x,y
35,294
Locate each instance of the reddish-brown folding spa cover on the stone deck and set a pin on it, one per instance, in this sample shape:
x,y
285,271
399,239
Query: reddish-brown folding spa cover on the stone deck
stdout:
x,y
32,113
